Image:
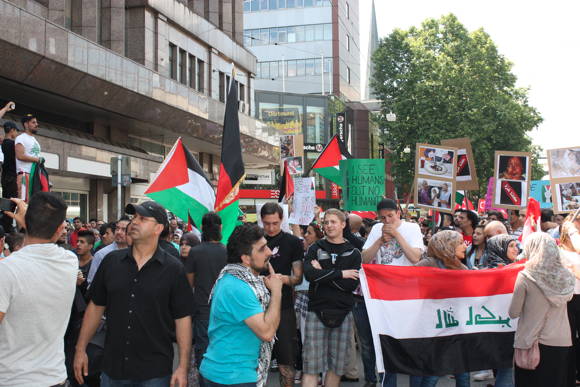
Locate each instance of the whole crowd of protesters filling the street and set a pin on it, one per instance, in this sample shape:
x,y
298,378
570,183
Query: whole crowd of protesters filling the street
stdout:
x,y
109,304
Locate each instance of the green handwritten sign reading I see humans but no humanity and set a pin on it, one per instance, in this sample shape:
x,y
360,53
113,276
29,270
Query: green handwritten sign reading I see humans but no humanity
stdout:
x,y
363,183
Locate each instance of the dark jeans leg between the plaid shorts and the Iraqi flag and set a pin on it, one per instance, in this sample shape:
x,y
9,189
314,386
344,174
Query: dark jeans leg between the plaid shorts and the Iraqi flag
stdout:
x,y
365,336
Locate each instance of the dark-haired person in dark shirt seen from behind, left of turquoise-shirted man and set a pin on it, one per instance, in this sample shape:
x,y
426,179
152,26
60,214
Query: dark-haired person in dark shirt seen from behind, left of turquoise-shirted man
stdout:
x,y
204,264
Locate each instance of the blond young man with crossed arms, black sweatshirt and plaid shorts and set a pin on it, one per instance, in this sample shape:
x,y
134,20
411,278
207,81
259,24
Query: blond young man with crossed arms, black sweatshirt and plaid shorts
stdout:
x,y
331,265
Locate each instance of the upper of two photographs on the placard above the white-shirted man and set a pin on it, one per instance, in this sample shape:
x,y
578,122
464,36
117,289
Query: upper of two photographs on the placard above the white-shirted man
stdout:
x,y
435,160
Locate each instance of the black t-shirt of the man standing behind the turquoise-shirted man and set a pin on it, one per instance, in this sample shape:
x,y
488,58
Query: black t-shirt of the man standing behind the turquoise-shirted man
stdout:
x,y
286,249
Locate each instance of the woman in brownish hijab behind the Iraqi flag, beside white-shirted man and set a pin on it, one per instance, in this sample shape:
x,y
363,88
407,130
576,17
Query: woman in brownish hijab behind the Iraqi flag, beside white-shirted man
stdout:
x,y
444,251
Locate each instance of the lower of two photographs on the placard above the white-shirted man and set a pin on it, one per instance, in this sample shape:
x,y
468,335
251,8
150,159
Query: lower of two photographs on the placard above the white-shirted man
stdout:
x,y
435,194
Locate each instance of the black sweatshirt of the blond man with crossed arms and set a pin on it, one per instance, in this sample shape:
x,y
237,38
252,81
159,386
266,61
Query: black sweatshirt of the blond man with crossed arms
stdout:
x,y
328,290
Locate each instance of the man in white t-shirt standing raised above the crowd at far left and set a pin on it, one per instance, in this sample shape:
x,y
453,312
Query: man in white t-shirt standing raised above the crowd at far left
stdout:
x,y
27,150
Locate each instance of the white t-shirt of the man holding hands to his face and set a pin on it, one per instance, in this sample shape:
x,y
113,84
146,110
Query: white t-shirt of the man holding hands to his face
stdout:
x,y
391,253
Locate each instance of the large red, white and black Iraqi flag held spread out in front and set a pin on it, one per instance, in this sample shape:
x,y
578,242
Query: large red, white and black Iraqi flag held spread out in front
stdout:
x,y
428,321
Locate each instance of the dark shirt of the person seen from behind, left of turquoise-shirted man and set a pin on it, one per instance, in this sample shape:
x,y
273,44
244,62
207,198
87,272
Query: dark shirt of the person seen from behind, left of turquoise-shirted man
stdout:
x,y
205,261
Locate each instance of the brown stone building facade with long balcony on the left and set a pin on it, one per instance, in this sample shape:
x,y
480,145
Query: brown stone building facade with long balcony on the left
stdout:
x,y
127,77
